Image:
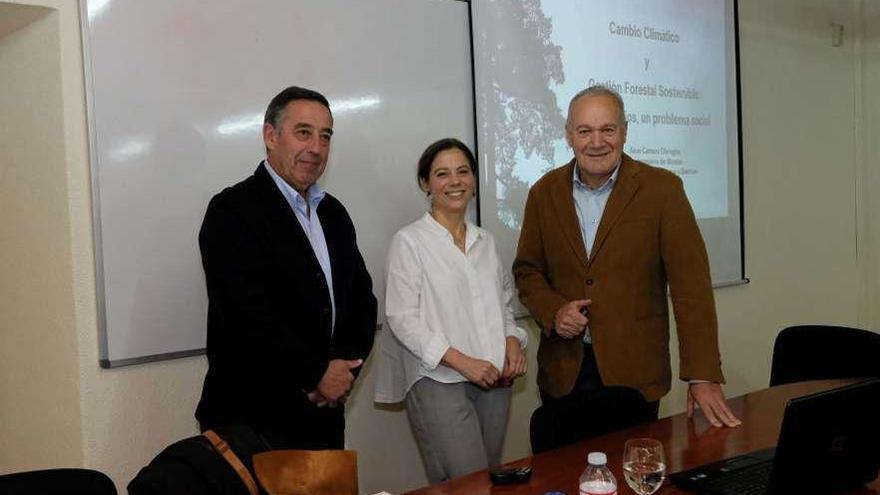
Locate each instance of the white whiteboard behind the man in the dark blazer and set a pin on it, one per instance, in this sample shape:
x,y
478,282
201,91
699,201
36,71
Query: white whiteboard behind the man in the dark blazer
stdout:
x,y
176,91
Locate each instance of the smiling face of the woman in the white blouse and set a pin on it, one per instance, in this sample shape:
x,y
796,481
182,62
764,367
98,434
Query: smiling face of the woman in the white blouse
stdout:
x,y
450,182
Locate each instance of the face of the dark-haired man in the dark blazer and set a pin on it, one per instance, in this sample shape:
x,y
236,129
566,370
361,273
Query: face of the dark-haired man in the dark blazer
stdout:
x,y
298,149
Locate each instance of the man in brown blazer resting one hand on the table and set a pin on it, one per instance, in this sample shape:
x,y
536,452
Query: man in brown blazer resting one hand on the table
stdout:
x,y
602,237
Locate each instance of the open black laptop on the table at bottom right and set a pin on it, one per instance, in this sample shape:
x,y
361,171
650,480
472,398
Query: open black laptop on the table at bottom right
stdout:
x,y
829,442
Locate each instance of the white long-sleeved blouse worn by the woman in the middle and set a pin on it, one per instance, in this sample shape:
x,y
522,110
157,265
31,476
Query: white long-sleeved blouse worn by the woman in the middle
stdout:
x,y
437,297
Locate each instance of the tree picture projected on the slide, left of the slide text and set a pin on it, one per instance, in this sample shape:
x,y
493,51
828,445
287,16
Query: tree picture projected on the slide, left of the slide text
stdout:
x,y
516,79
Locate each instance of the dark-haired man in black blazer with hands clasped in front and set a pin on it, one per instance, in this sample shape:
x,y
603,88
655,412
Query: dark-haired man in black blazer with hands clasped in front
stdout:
x,y
291,313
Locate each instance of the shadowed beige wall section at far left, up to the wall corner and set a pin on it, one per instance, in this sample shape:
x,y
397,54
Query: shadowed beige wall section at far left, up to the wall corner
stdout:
x,y
39,409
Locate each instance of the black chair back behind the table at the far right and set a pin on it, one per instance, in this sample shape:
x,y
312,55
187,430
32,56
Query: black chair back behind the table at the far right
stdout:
x,y
821,352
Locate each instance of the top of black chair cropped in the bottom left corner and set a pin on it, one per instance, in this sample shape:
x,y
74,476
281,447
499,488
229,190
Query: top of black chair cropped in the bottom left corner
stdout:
x,y
57,482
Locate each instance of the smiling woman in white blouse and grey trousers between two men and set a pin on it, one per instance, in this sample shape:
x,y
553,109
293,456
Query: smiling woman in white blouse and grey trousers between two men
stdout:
x,y
454,348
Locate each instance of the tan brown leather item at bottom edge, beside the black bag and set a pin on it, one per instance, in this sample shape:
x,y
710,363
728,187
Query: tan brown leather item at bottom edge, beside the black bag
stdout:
x,y
307,472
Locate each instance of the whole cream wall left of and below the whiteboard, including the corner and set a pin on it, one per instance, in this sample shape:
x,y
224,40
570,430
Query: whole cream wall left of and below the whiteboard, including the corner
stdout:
x,y
56,405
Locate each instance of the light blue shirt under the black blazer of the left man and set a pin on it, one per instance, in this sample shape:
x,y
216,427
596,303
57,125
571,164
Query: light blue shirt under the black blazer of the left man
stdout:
x,y
307,214
